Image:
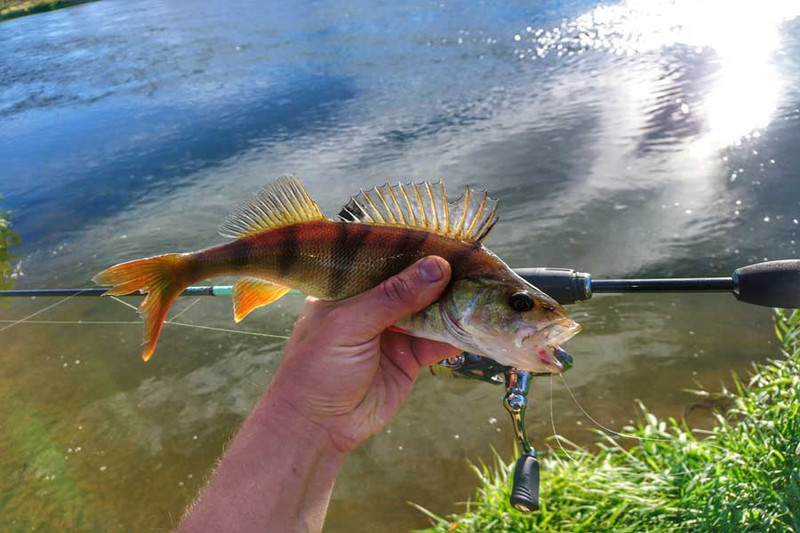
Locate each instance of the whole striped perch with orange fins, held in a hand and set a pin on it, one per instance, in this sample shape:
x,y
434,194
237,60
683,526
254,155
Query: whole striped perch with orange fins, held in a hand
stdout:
x,y
281,240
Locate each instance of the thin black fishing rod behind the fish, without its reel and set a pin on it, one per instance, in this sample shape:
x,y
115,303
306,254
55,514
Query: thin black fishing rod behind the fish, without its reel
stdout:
x,y
770,284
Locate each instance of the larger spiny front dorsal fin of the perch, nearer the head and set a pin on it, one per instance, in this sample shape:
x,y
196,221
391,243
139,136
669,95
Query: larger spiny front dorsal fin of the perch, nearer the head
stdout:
x,y
424,206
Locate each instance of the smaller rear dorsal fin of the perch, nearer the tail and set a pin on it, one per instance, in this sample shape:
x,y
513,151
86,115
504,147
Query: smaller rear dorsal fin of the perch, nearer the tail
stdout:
x,y
282,202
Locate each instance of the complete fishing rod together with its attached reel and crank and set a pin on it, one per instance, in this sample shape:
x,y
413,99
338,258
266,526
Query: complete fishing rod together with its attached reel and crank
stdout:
x,y
771,284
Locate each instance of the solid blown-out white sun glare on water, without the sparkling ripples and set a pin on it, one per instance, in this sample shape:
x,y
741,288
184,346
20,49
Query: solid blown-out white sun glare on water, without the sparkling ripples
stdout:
x,y
744,35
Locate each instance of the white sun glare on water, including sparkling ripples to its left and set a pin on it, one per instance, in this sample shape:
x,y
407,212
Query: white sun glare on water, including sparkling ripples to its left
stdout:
x,y
744,35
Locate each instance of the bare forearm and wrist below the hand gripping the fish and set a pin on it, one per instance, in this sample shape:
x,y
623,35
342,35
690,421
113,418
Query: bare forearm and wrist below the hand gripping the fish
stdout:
x,y
278,473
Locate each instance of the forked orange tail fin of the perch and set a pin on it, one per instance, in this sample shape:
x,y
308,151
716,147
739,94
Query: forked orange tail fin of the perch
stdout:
x,y
160,278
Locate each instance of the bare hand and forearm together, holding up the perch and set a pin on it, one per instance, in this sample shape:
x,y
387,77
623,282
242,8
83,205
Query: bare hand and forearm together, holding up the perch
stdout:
x,y
344,375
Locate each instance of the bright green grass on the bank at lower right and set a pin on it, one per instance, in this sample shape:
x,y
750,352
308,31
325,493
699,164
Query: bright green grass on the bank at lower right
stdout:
x,y
741,476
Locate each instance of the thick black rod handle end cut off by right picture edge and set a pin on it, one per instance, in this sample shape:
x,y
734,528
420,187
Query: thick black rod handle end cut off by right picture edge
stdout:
x,y
773,284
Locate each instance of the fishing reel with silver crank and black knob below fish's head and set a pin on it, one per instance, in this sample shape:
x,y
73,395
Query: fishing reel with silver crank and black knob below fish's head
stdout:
x,y
525,488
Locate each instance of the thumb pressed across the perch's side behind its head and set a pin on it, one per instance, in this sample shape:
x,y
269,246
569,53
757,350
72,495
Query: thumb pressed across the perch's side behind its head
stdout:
x,y
410,291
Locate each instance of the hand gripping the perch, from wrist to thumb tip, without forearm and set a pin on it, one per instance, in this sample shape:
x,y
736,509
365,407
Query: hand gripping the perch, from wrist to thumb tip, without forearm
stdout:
x,y
344,371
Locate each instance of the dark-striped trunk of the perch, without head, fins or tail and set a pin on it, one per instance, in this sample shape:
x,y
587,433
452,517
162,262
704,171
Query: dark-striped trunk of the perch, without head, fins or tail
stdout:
x,y
335,260
